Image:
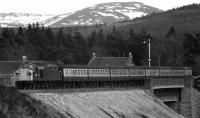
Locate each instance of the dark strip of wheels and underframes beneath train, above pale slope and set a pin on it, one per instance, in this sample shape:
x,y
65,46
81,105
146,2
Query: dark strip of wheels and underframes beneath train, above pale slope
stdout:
x,y
51,85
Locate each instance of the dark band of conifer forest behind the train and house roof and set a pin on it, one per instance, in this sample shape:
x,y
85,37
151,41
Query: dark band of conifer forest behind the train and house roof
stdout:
x,y
41,43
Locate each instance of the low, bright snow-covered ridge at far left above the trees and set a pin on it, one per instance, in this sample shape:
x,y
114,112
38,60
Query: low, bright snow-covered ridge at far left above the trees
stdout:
x,y
20,19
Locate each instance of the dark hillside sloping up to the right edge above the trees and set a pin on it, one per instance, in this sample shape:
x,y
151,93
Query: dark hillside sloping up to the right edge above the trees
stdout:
x,y
183,19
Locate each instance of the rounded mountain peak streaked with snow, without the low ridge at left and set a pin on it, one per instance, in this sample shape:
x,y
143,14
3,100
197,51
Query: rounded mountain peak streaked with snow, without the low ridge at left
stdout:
x,y
106,13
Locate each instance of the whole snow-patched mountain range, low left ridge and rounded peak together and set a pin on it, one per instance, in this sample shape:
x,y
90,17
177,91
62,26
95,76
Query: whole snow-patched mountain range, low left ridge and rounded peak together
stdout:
x,y
97,14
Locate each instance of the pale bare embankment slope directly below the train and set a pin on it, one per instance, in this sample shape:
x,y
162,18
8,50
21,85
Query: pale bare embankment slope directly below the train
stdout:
x,y
135,103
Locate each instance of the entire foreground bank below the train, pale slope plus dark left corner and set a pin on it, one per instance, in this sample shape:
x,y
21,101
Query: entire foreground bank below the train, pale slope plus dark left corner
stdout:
x,y
124,103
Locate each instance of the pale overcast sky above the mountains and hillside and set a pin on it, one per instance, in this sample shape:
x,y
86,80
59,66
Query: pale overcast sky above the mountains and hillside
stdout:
x,y
64,6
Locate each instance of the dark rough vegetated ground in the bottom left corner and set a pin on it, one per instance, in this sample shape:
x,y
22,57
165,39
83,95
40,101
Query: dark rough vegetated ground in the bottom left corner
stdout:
x,y
17,105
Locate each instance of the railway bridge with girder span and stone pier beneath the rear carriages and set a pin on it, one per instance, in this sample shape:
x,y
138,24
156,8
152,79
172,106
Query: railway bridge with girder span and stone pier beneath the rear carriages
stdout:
x,y
175,92
